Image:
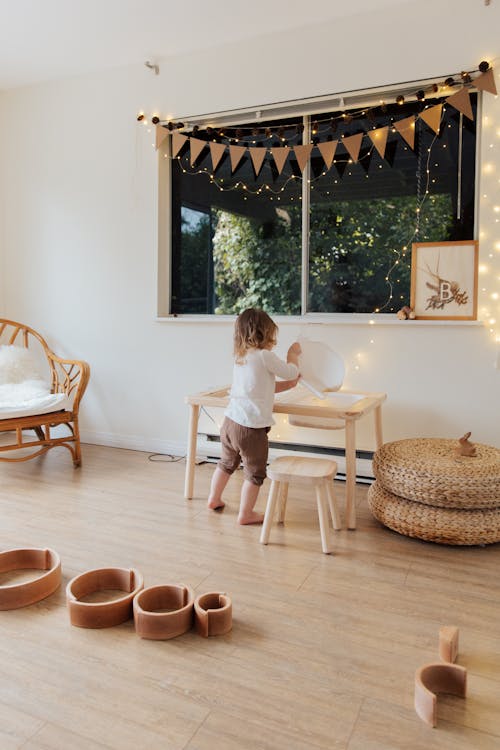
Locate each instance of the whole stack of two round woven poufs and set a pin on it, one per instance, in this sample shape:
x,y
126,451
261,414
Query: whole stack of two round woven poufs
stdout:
x,y
423,489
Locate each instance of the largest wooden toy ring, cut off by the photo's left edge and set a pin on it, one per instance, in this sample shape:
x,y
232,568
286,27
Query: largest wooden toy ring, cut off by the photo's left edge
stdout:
x,y
22,594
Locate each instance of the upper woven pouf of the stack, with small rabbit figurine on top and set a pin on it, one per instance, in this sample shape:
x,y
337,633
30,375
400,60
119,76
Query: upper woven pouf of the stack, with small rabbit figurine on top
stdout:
x,y
428,471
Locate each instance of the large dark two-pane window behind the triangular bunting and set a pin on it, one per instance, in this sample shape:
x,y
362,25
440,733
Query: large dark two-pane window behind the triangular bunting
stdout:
x,y
325,240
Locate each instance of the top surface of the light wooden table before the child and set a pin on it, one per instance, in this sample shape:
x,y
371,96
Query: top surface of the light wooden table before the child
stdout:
x,y
348,405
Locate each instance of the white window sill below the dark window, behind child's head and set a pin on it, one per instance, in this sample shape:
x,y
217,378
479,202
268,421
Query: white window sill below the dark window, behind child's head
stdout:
x,y
318,319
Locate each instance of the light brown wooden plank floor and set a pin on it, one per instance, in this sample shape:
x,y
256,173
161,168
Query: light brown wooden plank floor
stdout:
x,y
323,649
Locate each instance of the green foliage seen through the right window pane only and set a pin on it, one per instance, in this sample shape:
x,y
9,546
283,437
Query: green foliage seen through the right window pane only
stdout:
x,y
353,245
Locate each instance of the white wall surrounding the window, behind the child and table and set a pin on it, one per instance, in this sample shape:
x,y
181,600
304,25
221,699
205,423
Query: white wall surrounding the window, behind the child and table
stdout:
x,y
78,177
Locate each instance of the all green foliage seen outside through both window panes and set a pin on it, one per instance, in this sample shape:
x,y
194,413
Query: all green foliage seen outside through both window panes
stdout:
x,y
353,245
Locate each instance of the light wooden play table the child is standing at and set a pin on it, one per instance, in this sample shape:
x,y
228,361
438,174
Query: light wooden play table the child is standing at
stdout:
x,y
298,402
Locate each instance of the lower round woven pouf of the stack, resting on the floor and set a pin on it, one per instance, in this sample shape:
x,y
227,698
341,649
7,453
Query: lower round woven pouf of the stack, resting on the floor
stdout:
x,y
456,526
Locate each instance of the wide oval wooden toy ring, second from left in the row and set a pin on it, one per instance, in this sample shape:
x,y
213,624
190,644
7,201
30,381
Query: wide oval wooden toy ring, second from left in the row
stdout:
x,y
102,614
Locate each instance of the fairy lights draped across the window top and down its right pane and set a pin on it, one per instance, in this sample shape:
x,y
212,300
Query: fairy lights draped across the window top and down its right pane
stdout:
x,y
287,133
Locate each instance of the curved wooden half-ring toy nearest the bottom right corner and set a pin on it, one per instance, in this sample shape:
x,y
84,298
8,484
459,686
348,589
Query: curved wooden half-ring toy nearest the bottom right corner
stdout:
x,y
435,678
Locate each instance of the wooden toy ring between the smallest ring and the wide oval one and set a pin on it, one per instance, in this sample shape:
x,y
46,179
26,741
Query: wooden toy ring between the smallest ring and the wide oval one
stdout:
x,y
162,612
